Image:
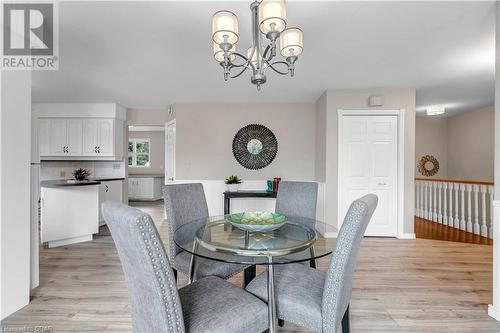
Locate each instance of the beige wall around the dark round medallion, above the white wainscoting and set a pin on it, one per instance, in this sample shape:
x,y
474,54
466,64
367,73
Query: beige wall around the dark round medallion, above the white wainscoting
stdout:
x,y
205,134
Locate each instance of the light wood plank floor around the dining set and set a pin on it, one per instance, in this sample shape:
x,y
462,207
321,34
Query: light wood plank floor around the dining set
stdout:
x,y
399,286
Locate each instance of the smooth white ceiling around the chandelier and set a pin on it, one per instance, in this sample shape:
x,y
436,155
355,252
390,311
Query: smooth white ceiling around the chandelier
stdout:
x,y
151,54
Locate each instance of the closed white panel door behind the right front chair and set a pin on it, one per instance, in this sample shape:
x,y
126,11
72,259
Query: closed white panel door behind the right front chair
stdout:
x,y
369,165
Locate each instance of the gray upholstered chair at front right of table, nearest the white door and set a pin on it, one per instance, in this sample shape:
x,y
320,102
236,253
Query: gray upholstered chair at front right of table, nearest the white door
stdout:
x,y
319,300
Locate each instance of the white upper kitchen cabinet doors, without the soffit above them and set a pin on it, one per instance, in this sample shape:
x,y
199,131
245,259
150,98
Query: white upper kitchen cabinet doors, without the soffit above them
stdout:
x,y
81,139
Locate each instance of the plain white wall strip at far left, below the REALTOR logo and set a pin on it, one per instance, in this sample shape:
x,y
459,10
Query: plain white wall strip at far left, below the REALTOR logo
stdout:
x,y
15,150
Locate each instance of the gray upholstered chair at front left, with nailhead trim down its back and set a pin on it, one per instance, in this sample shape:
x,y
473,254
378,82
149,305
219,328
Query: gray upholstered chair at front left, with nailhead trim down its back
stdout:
x,y
210,304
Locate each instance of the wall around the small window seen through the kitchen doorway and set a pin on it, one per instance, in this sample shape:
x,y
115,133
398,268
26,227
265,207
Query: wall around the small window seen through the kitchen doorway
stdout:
x,y
157,152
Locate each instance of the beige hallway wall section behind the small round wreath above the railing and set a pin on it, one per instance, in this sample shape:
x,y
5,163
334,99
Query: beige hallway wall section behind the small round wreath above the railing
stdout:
x,y
431,138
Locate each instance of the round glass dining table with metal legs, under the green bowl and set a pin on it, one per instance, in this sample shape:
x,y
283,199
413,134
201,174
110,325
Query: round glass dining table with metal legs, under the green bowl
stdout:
x,y
299,240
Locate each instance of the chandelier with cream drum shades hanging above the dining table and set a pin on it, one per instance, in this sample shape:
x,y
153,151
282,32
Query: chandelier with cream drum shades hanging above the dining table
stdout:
x,y
269,20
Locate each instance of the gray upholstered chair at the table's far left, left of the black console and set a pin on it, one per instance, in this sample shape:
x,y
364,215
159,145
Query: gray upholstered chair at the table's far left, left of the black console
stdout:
x,y
186,203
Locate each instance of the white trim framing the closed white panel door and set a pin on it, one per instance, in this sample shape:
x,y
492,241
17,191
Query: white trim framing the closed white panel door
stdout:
x,y
400,113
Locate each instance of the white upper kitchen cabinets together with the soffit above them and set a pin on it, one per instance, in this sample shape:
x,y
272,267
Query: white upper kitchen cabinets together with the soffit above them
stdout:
x,y
88,131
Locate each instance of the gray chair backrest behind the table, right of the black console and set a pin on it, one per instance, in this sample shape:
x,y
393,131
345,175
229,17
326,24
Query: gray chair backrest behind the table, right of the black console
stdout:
x,y
297,199
